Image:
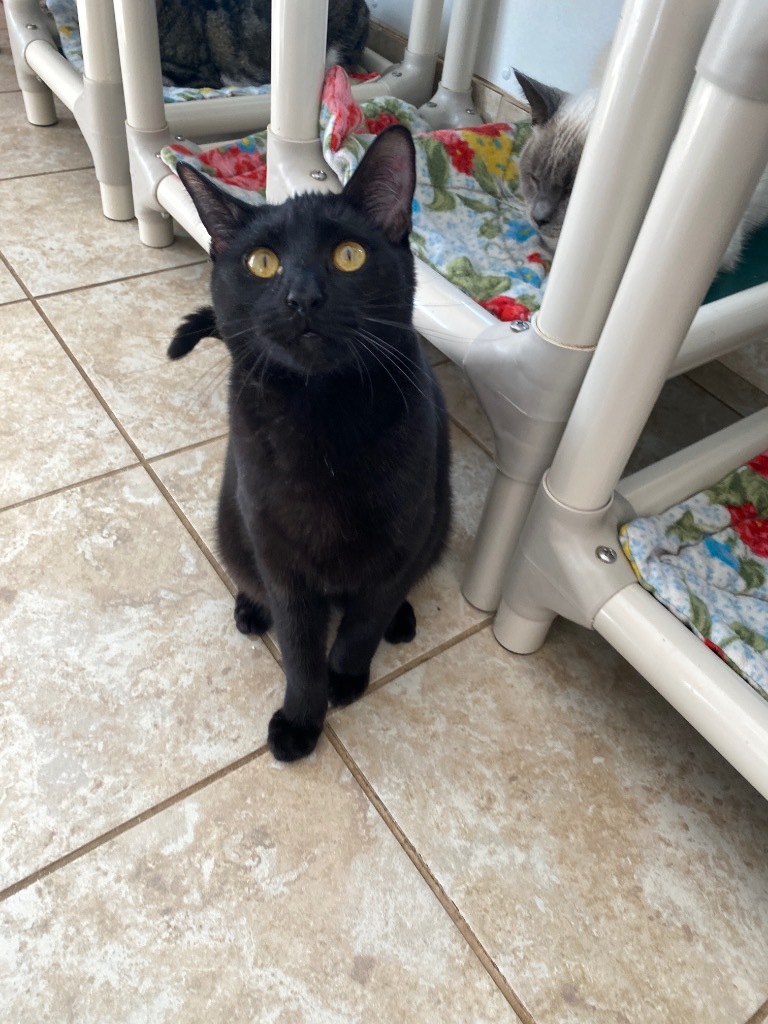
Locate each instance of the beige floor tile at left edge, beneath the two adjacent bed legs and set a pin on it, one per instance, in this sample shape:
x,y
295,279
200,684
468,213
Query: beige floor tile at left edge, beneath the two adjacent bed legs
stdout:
x,y
65,241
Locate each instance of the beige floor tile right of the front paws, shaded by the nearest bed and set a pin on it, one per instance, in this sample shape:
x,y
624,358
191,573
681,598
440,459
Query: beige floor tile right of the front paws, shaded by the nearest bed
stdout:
x,y
610,861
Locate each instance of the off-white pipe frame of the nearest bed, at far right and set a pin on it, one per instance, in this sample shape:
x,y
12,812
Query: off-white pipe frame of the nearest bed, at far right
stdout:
x,y
700,199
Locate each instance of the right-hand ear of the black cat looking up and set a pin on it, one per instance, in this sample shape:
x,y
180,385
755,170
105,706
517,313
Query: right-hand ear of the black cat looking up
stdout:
x,y
385,183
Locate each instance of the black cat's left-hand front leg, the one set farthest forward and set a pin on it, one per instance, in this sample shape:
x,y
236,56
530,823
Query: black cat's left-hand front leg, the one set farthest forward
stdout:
x,y
302,624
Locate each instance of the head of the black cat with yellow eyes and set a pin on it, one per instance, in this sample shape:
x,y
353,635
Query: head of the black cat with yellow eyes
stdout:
x,y
316,283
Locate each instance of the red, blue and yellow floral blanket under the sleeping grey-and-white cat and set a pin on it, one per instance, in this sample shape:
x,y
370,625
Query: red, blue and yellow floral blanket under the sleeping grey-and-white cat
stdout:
x,y
470,222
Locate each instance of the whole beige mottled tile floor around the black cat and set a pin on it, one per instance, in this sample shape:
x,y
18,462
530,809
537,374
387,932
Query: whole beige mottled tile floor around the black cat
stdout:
x,y
484,838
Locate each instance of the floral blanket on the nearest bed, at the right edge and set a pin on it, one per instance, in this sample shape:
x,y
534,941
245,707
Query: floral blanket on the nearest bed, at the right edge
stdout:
x,y
707,561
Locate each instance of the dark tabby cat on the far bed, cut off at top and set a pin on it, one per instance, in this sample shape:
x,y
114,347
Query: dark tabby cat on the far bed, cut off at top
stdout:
x,y
228,42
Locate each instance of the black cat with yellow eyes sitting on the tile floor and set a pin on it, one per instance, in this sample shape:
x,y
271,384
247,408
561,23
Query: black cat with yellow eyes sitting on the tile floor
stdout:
x,y
336,485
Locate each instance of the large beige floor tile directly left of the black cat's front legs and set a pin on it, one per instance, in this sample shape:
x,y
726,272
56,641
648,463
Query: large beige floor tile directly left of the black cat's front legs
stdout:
x,y
123,677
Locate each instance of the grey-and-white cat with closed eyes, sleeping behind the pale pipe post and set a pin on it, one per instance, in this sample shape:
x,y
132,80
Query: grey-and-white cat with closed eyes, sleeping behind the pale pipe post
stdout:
x,y
550,160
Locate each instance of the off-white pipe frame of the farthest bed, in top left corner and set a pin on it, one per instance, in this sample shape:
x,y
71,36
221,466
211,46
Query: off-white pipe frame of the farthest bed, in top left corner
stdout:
x,y
96,99
